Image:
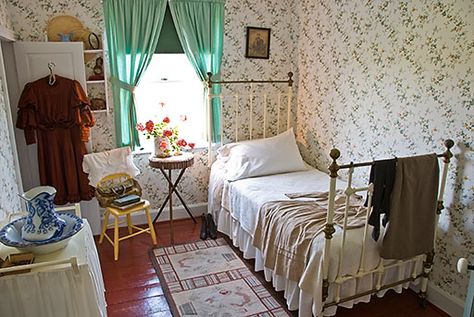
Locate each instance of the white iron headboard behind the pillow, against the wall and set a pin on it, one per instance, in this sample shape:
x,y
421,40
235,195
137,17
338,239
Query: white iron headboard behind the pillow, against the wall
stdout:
x,y
248,98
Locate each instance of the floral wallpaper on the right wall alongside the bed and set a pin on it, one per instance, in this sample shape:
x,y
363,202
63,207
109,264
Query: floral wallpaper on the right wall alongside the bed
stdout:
x,y
383,78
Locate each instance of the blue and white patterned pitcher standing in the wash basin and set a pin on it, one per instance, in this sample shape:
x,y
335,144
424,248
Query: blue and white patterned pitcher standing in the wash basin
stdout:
x,y
42,222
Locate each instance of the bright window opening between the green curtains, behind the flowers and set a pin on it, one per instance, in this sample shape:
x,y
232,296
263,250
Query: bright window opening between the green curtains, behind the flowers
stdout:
x,y
171,80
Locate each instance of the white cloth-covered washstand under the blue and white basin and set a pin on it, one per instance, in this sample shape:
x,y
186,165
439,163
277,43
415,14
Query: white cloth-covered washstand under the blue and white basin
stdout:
x,y
57,291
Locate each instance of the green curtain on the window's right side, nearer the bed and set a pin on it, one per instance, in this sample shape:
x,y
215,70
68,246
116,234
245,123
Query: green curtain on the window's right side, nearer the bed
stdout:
x,y
200,27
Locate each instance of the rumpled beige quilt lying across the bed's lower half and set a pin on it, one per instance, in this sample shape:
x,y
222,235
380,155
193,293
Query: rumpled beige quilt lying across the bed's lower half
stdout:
x,y
285,229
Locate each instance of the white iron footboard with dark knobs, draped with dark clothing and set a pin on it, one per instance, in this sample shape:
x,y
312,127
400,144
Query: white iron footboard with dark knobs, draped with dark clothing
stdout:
x,y
381,268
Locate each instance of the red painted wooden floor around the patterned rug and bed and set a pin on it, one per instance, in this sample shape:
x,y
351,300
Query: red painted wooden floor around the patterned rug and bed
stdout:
x,y
133,288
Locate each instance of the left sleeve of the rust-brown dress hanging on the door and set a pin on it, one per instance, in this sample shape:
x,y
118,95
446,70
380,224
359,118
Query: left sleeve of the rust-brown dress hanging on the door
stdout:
x,y
26,119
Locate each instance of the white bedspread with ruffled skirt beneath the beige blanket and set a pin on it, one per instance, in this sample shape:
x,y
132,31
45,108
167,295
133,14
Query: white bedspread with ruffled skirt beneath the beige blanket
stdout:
x,y
235,205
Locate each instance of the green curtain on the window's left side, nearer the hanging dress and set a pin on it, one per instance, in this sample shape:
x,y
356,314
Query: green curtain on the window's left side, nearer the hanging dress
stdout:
x,y
133,29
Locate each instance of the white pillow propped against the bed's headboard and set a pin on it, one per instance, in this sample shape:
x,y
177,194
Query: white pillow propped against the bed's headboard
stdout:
x,y
278,154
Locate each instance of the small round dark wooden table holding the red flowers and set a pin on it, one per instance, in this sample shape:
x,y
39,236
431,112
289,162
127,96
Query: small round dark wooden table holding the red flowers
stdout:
x,y
178,162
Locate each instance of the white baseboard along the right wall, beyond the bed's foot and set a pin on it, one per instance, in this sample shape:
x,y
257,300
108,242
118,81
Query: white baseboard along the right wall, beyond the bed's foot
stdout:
x,y
448,303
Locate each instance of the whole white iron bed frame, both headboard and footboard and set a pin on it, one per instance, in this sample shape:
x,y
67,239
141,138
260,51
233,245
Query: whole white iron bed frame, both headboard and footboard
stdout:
x,y
329,229
